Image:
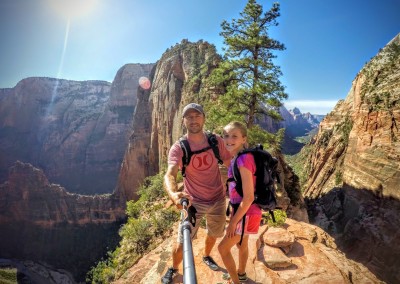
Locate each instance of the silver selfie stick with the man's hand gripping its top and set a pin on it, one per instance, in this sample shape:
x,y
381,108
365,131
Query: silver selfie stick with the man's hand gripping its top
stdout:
x,y
189,271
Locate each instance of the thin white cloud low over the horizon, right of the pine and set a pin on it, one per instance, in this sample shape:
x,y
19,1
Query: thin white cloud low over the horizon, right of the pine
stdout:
x,y
312,106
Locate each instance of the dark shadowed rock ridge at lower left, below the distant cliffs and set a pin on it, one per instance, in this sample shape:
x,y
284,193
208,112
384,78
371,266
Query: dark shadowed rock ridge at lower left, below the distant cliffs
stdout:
x,y
42,222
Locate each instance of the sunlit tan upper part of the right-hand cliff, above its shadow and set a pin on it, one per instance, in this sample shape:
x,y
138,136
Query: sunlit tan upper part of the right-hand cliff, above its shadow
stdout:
x,y
359,141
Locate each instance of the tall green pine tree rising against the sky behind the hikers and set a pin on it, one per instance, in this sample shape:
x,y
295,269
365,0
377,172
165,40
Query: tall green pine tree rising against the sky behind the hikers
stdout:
x,y
247,73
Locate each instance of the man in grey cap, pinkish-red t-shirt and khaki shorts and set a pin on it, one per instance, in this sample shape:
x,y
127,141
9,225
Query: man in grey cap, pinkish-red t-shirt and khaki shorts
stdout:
x,y
202,186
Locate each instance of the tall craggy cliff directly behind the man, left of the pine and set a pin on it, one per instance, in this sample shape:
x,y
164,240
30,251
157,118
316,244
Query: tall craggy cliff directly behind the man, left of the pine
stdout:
x,y
177,80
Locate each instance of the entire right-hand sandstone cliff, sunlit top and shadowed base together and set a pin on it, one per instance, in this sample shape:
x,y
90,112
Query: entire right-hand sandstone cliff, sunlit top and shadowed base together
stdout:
x,y
354,166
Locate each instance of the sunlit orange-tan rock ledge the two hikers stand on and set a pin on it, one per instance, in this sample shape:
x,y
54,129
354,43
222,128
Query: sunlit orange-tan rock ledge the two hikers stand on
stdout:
x,y
297,253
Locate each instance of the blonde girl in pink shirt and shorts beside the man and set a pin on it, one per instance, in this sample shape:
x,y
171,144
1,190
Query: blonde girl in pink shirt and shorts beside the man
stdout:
x,y
235,138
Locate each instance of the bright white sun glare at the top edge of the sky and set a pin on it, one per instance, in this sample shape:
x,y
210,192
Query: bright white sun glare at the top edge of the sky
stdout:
x,y
71,9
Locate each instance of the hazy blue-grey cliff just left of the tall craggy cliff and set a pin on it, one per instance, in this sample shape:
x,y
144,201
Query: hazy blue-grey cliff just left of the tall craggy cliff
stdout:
x,y
115,125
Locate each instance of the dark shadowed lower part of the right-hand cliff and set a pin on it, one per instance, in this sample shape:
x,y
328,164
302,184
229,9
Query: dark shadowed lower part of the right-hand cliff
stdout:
x,y
365,226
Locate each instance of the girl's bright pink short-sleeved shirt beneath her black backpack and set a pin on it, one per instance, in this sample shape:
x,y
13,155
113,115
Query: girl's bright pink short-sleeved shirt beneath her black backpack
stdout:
x,y
247,161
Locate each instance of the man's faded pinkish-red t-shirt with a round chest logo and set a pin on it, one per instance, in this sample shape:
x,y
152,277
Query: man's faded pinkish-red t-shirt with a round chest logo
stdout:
x,y
203,178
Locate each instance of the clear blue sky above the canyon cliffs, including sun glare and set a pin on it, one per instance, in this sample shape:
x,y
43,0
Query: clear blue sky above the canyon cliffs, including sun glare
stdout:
x,y
327,41
